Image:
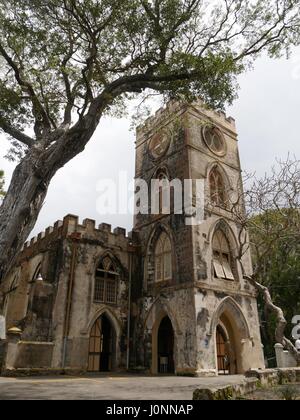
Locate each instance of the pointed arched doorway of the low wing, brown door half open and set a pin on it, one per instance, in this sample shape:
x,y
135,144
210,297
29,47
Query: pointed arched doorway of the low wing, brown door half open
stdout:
x,y
102,346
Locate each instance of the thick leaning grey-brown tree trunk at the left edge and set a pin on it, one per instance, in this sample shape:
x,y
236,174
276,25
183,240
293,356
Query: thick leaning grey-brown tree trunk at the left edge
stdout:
x,y
29,186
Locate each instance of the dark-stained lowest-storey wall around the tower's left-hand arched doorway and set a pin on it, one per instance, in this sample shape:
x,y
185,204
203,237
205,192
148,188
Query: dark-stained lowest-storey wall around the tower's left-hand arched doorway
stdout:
x,y
178,305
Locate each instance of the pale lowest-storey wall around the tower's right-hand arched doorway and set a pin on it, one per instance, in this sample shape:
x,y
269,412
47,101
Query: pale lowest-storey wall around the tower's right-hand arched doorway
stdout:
x,y
241,319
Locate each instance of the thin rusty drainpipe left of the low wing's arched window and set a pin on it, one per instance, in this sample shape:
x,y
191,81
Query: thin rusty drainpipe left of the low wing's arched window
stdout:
x,y
74,239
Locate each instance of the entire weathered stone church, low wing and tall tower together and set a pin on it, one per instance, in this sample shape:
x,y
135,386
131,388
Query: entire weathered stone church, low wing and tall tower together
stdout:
x,y
168,298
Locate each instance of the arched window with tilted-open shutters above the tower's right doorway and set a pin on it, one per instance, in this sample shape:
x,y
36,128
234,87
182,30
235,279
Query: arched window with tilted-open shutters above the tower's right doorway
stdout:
x,y
222,258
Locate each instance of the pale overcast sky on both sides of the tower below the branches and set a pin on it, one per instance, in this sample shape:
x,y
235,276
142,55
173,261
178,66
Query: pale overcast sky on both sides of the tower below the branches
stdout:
x,y
267,116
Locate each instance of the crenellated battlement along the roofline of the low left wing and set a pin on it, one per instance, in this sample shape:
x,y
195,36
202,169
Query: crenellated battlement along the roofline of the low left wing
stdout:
x,y
70,227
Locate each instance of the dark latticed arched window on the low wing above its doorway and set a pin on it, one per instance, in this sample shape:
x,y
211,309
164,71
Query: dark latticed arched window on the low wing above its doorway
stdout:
x,y
106,282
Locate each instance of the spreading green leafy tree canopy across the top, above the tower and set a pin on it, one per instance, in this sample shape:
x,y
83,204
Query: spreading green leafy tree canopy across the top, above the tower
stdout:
x,y
58,57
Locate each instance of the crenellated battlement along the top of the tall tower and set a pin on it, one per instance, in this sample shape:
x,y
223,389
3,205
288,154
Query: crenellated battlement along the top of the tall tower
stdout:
x,y
173,107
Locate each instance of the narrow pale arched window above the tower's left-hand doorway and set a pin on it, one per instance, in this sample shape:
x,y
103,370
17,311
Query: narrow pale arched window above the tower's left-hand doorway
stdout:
x,y
163,259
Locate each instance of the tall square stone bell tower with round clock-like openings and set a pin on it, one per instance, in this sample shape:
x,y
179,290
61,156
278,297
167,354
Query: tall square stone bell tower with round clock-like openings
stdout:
x,y
194,312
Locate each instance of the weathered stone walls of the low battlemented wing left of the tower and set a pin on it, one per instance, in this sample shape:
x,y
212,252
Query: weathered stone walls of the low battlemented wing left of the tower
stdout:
x,y
56,312
